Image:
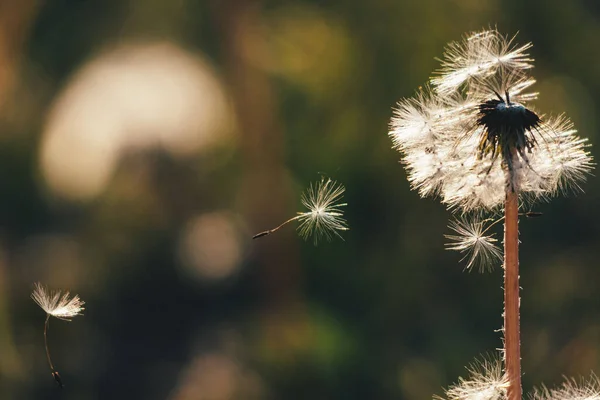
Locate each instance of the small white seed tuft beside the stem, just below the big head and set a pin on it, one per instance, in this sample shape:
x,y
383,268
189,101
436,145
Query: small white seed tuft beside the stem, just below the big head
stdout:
x,y
480,250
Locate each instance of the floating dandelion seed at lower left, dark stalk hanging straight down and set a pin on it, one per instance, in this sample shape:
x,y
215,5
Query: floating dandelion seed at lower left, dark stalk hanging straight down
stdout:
x,y
58,305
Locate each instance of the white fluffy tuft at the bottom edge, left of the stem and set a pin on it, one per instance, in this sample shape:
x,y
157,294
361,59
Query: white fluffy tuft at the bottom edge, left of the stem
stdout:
x,y
486,382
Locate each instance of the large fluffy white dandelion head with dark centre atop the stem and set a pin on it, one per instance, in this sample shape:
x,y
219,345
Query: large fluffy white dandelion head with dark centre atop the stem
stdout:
x,y
471,134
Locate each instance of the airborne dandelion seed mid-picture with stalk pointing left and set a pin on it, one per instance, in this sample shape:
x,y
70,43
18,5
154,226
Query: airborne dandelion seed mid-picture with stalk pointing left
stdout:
x,y
324,217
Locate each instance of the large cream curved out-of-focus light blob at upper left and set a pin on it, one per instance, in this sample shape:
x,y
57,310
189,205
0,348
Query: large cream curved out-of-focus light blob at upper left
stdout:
x,y
131,97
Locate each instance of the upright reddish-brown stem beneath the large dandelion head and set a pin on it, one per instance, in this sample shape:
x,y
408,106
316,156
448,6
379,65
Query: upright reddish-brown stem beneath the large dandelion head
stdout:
x,y
512,340
